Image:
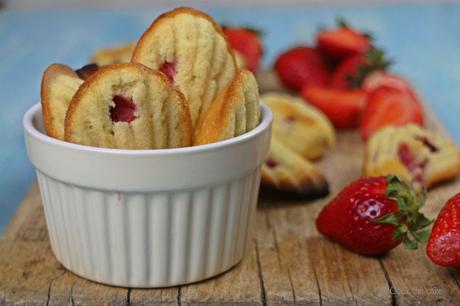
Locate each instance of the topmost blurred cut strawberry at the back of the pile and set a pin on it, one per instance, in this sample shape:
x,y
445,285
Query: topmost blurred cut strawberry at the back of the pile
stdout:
x,y
342,42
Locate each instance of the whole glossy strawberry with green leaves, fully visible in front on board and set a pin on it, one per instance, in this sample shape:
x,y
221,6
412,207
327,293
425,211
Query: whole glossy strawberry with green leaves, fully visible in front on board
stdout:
x,y
373,215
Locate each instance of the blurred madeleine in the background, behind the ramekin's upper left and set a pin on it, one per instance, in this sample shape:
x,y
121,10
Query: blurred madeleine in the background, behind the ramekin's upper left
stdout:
x,y
113,55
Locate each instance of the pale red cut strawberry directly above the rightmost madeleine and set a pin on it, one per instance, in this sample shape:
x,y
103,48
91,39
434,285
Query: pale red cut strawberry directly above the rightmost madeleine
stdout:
x,y
389,106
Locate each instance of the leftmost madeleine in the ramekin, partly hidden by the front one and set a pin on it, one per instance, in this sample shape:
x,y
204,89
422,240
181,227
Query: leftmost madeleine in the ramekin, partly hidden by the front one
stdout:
x,y
59,84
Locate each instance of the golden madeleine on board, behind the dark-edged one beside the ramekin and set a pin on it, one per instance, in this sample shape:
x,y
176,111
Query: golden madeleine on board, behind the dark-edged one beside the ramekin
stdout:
x,y
299,125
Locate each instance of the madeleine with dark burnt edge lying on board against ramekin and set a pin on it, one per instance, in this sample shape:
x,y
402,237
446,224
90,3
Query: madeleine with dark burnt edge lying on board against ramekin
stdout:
x,y
286,171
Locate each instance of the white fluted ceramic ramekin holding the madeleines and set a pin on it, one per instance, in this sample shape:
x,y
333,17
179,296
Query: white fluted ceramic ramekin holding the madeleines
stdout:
x,y
148,218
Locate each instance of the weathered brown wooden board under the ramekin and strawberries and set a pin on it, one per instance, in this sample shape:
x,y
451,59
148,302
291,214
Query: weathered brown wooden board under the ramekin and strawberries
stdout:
x,y
289,262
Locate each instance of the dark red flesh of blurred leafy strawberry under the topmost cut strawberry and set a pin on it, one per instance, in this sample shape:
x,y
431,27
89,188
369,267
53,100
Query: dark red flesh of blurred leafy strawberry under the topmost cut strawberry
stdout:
x,y
348,68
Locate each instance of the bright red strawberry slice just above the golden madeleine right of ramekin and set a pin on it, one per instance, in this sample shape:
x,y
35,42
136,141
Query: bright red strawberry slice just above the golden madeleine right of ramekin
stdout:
x,y
343,107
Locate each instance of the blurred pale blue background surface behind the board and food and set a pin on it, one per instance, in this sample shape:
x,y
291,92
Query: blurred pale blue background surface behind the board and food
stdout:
x,y
424,40
